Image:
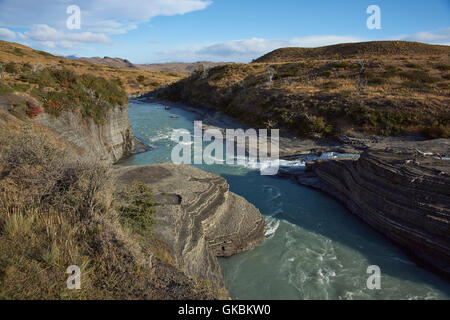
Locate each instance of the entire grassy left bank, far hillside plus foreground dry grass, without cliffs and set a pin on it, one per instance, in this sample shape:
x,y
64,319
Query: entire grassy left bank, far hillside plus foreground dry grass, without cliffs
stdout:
x,y
57,208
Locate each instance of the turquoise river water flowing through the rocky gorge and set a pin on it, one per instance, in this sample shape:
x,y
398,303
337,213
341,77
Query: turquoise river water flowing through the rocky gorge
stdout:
x,y
314,248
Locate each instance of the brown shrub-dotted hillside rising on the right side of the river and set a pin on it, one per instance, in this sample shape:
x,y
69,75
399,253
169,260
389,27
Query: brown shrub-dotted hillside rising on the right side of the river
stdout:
x,y
385,88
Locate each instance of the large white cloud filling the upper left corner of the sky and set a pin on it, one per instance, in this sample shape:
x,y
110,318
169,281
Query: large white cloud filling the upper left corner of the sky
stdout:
x,y
45,20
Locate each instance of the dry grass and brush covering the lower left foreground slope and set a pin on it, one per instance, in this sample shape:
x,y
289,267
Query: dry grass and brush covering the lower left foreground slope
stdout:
x,y
56,212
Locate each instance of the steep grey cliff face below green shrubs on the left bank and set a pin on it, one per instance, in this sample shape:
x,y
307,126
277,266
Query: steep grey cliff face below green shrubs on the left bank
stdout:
x,y
109,141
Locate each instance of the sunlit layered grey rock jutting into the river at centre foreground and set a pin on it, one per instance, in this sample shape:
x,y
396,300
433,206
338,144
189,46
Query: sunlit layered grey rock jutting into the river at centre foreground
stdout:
x,y
198,218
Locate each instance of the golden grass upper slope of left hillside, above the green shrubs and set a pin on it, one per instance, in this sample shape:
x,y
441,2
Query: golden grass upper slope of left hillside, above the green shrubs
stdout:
x,y
132,81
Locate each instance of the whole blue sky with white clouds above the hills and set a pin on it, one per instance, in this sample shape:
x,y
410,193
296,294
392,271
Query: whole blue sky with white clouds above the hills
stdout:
x,y
148,31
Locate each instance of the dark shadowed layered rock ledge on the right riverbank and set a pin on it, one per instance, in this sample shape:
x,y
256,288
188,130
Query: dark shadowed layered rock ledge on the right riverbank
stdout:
x,y
403,192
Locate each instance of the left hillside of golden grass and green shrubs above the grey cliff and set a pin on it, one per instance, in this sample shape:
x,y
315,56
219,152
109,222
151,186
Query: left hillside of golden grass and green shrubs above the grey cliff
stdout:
x,y
34,81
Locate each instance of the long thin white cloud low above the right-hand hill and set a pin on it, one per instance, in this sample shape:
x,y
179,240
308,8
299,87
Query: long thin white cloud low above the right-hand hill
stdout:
x,y
248,49
